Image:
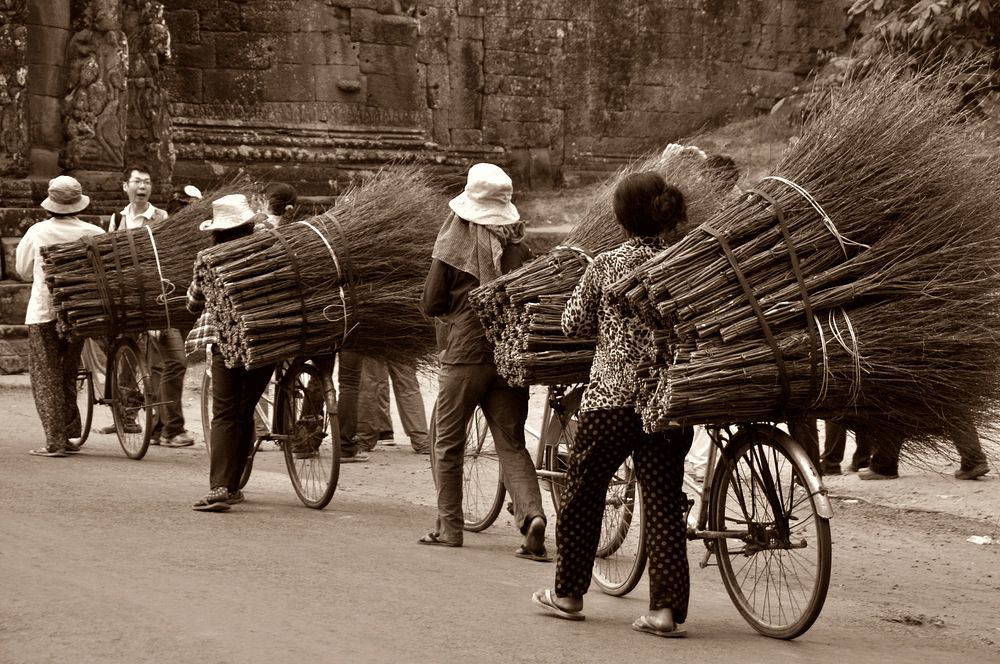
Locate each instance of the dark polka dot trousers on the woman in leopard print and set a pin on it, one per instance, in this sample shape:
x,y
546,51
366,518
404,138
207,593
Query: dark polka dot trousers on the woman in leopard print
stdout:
x,y
604,440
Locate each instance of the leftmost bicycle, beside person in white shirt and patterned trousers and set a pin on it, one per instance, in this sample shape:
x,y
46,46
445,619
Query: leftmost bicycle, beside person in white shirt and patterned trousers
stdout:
x,y
127,390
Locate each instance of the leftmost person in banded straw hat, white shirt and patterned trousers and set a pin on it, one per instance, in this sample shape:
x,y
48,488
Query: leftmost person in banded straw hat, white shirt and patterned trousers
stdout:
x,y
53,361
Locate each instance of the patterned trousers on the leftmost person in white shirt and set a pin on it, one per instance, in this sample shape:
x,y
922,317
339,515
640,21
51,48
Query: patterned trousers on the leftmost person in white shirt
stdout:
x,y
52,364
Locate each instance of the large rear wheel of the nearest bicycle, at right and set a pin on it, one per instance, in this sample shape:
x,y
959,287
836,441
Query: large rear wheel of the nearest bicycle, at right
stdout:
x,y
777,571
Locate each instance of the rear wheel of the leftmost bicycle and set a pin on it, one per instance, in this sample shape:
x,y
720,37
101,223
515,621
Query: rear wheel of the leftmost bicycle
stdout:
x,y
131,395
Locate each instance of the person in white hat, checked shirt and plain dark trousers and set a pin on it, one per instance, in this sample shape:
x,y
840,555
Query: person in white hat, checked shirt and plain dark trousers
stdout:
x,y
236,390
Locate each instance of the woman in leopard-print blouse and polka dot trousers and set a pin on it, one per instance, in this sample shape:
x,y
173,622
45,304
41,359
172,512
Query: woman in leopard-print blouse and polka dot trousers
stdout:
x,y
610,428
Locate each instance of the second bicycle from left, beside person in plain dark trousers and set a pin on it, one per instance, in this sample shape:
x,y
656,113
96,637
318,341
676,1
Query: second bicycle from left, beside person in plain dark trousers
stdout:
x,y
298,414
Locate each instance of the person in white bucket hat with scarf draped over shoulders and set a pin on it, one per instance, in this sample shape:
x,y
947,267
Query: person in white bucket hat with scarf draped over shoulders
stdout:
x,y
479,241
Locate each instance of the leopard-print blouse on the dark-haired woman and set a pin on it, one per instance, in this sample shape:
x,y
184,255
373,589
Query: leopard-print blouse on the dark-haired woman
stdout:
x,y
620,340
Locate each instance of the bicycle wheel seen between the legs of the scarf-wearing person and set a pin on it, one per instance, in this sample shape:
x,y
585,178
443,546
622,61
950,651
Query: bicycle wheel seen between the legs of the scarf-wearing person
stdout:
x,y
482,479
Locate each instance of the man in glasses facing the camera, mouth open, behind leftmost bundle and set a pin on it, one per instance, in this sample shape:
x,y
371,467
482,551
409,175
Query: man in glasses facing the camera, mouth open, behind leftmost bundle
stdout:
x,y
168,429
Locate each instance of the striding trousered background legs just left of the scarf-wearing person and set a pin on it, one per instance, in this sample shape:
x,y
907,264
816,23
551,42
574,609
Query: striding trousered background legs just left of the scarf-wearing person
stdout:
x,y
374,423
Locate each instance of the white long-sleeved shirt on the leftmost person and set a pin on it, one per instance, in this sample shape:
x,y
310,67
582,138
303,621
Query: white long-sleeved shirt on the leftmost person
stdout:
x,y
29,260
